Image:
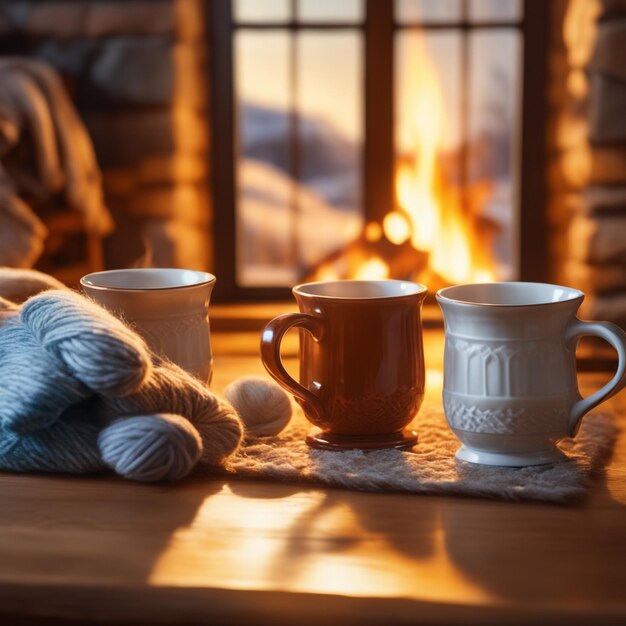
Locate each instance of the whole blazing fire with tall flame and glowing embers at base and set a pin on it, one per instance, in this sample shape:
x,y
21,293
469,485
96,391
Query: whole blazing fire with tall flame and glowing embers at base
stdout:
x,y
433,235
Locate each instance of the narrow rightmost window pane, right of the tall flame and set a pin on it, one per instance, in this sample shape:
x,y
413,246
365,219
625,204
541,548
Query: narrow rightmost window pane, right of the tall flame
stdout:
x,y
495,94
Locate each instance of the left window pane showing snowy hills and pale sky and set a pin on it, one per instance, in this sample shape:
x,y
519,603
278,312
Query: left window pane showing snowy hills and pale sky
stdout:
x,y
299,102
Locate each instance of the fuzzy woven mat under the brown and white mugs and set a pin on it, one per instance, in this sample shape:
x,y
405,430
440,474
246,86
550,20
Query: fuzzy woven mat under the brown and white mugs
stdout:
x,y
430,468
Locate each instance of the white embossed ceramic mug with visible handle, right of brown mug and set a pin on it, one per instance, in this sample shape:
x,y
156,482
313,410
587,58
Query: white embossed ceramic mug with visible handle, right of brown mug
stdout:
x,y
510,390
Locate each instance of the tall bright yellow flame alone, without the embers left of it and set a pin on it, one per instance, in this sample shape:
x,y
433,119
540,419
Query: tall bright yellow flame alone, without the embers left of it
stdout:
x,y
437,224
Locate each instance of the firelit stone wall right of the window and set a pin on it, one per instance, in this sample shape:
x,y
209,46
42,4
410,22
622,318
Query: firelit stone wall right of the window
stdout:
x,y
588,149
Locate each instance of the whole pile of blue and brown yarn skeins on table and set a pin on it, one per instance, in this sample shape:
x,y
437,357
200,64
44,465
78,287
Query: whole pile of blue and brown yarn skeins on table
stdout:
x,y
81,392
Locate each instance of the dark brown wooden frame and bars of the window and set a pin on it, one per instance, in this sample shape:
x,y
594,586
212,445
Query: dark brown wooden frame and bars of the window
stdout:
x,y
378,162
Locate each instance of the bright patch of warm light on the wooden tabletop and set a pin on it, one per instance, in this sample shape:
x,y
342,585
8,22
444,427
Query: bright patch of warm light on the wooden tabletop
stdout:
x,y
326,545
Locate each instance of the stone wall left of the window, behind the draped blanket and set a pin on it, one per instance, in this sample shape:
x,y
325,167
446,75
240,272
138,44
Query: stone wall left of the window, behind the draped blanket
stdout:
x,y
137,71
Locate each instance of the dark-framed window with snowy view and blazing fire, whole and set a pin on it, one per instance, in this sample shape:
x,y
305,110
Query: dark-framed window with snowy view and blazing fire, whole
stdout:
x,y
413,161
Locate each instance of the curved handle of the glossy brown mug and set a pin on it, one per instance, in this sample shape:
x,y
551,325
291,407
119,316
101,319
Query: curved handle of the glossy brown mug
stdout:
x,y
271,339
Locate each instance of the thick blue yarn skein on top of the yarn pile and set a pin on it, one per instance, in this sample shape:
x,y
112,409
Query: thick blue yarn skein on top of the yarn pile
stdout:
x,y
56,351
